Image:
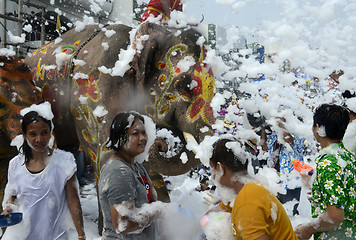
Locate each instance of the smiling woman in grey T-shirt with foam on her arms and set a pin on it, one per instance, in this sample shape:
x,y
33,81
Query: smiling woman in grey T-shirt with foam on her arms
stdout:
x,y
124,185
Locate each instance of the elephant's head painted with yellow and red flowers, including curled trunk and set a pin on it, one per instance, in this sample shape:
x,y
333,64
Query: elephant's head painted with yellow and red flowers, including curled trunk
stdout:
x,y
171,67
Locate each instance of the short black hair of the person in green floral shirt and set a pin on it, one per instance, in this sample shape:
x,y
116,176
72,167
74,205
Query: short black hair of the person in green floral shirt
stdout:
x,y
334,118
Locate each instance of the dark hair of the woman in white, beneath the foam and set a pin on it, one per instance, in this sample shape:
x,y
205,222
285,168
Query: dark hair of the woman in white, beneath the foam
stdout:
x,y
29,118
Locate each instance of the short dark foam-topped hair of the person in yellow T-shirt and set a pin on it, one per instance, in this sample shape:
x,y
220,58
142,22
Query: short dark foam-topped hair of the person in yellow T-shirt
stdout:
x,y
227,157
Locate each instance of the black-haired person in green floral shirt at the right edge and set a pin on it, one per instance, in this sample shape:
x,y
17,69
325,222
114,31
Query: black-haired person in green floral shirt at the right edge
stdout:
x,y
333,193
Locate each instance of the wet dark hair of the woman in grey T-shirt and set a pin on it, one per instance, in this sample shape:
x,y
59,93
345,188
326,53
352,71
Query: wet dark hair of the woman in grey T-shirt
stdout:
x,y
118,129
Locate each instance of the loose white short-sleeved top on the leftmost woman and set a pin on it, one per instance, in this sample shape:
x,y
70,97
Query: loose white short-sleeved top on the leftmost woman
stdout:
x,y
41,198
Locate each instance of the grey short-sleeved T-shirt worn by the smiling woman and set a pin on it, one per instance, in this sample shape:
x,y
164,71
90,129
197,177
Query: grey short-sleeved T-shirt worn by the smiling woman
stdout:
x,y
119,183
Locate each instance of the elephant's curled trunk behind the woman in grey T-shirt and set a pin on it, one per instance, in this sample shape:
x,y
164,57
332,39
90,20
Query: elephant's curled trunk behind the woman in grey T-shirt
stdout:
x,y
171,166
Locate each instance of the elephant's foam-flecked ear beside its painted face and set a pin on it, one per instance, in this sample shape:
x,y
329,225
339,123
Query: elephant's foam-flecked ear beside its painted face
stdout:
x,y
148,42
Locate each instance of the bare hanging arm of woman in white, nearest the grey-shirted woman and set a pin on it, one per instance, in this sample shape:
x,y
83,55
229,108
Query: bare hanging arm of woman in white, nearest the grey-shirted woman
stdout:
x,y
74,205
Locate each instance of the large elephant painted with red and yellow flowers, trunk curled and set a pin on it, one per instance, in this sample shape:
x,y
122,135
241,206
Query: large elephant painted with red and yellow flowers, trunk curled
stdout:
x,y
160,72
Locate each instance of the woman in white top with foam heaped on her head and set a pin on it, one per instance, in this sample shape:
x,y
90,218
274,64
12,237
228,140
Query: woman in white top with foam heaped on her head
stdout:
x,y
42,183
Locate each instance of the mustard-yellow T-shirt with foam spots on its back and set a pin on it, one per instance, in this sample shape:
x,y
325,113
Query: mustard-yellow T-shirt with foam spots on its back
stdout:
x,y
257,212
